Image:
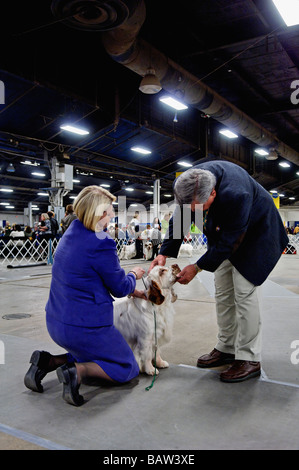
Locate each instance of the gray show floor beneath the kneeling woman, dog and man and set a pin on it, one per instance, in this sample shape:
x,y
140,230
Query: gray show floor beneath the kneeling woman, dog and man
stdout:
x,y
186,408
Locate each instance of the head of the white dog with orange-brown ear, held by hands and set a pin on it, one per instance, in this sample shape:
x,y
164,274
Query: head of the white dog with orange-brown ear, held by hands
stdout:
x,y
159,279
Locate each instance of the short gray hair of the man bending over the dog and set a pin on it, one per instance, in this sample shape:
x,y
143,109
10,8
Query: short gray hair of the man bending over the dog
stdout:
x,y
194,183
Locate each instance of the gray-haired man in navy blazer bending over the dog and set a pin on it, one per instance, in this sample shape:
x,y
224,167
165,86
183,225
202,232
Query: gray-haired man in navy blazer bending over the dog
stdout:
x,y
246,238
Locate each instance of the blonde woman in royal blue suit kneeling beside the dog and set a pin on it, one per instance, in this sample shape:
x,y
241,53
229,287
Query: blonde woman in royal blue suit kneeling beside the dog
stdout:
x,y
79,313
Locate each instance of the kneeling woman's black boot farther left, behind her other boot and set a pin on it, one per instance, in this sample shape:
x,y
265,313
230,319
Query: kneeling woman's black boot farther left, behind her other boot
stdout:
x,y
37,371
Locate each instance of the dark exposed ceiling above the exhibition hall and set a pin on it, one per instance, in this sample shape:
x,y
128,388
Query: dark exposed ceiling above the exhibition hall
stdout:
x,y
241,49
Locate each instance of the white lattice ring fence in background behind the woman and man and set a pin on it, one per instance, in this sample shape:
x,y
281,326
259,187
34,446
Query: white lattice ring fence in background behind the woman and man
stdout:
x,y
17,252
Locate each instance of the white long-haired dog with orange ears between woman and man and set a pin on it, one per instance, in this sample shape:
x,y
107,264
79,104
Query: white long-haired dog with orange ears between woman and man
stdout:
x,y
134,318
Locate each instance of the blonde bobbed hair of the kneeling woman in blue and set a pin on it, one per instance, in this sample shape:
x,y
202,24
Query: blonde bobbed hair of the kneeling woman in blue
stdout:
x,y
90,205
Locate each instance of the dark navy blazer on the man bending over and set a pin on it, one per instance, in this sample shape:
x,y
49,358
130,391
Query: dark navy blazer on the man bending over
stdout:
x,y
243,225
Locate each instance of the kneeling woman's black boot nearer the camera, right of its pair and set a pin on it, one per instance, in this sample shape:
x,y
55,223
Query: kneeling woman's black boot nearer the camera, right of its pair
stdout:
x,y
67,374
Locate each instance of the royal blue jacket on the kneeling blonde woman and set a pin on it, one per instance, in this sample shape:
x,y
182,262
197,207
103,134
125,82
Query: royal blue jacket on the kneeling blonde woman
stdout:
x,y
86,271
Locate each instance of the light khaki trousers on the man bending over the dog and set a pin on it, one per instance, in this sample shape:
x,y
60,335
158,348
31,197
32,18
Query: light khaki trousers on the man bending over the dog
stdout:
x,y
238,314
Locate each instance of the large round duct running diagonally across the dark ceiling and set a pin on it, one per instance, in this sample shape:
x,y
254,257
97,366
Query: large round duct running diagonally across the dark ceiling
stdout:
x,y
125,47
